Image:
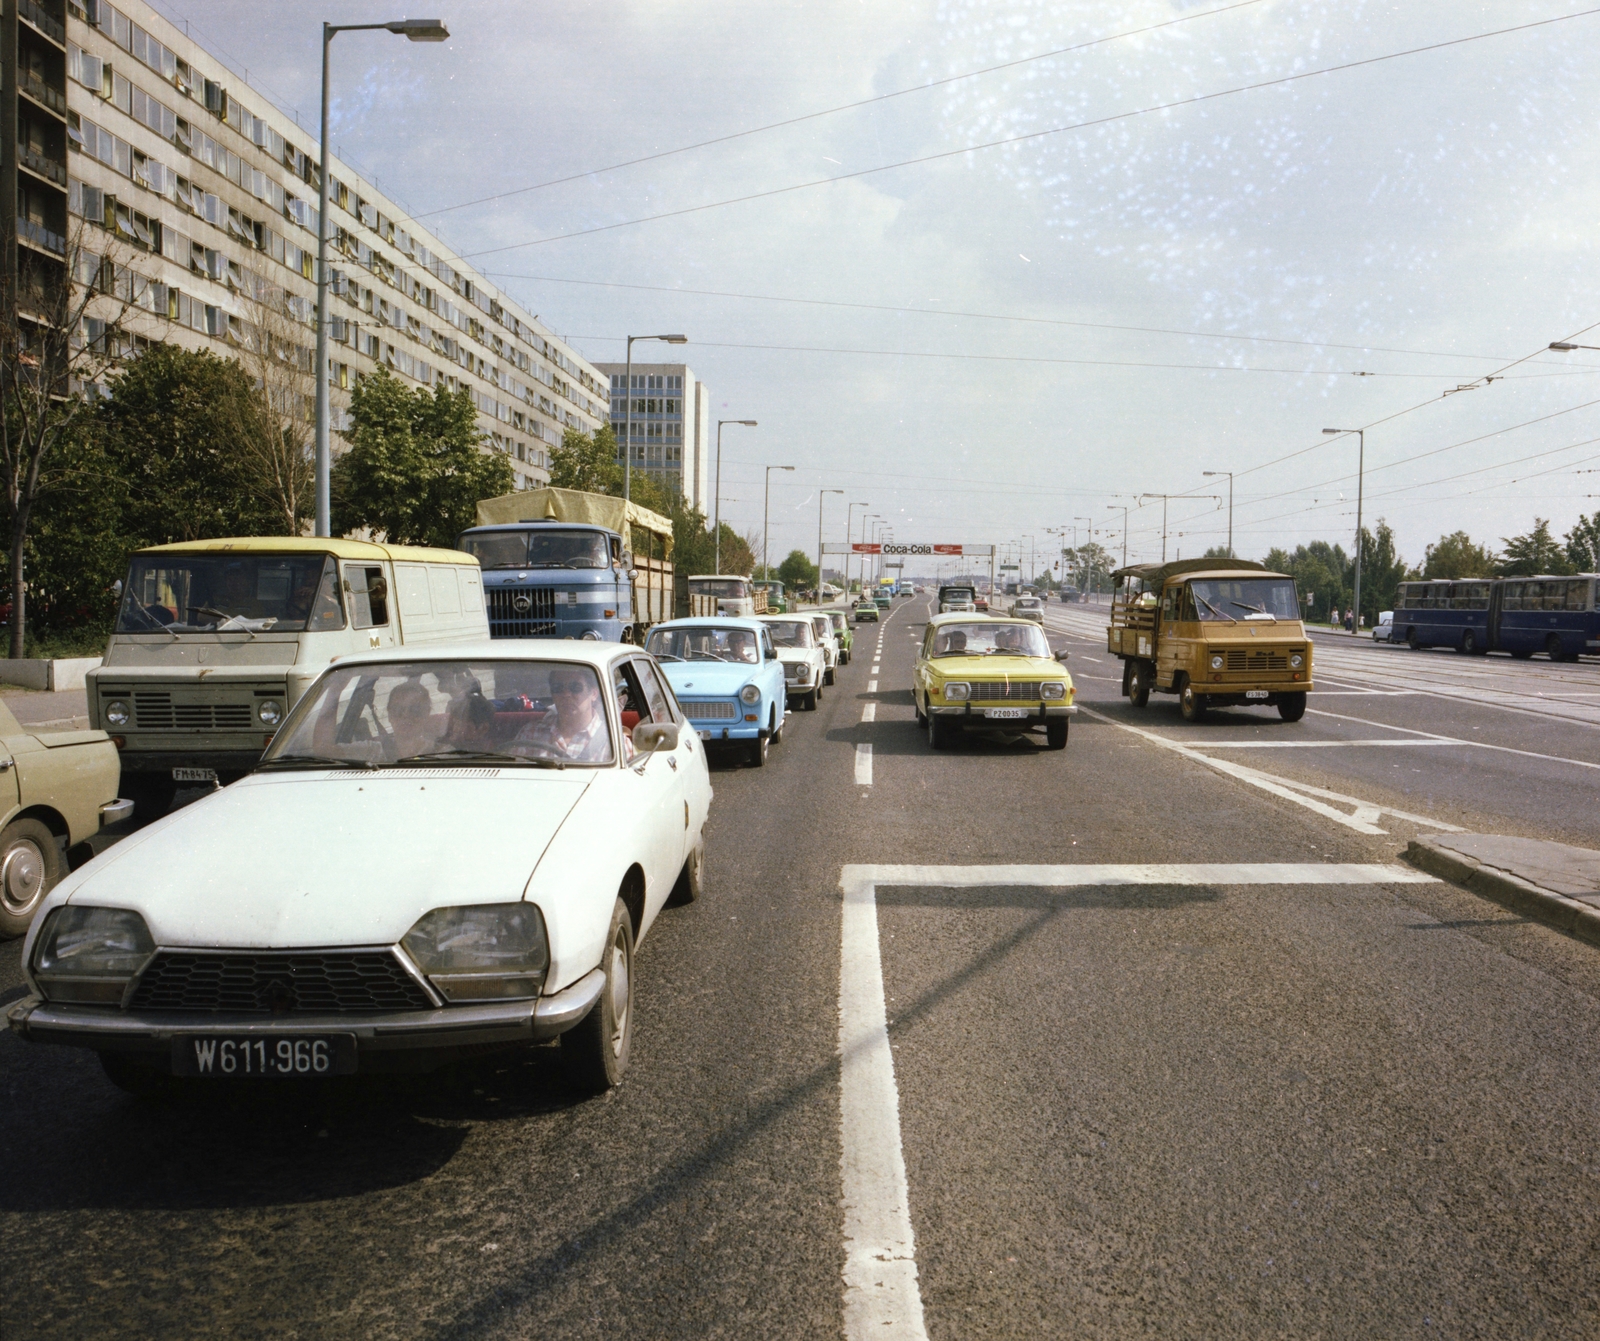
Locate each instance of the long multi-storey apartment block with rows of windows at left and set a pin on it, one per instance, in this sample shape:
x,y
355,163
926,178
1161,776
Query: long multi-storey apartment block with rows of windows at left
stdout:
x,y
151,170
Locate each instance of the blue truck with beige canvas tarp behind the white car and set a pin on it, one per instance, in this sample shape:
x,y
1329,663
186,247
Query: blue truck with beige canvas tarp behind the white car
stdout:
x,y
566,564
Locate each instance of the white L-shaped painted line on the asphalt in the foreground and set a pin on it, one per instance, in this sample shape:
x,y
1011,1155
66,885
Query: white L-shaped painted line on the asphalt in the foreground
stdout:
x,y
882,1291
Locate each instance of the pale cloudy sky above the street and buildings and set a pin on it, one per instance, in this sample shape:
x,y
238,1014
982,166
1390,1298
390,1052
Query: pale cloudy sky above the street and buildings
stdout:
x,y
1196,249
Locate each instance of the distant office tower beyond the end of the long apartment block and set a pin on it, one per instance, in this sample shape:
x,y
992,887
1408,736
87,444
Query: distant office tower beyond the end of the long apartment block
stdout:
x,y
671,426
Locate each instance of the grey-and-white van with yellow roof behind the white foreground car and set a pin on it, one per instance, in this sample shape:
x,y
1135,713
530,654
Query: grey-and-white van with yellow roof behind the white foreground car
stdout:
x,y
217,641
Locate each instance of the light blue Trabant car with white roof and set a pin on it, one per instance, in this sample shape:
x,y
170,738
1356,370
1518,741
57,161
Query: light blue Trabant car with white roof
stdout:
x,y
727,678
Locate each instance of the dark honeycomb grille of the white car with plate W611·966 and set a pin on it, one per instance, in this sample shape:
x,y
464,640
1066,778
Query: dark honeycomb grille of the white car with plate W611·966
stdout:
x,y
279,983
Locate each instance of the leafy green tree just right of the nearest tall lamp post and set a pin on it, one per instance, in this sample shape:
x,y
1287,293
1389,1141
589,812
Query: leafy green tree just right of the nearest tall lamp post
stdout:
x,y
414,473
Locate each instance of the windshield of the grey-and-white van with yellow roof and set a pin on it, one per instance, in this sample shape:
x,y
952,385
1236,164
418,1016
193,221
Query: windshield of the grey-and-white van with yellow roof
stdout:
x,y
231,594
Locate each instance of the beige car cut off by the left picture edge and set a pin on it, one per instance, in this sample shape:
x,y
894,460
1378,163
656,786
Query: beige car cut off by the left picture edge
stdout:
x,y
58,790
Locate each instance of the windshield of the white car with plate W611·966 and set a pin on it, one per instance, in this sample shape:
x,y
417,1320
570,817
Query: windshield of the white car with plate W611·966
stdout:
x,y
442,713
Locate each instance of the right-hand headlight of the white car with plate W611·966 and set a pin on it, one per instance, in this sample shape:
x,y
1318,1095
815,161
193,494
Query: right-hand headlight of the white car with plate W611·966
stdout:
x,y
482,951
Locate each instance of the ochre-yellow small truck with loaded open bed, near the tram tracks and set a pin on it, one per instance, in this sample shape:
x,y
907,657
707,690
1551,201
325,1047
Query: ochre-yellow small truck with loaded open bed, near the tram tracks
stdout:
x,y
1218,633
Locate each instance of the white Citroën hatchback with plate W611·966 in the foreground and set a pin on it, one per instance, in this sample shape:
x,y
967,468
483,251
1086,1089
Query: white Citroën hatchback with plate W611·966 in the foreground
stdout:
x,y
442,851
